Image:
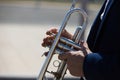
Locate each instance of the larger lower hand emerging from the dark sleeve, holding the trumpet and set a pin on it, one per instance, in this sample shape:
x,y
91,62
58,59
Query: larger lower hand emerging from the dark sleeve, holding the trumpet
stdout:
x,y
75,59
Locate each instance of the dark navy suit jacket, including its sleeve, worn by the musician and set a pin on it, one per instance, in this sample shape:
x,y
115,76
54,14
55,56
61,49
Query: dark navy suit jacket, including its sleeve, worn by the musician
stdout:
x,y
104,42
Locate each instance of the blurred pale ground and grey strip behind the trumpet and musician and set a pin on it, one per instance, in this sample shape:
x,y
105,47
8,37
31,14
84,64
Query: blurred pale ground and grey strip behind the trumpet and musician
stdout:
x,y
23,24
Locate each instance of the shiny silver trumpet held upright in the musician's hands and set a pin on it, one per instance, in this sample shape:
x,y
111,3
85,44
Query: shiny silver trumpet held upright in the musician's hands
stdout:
x,y
62,44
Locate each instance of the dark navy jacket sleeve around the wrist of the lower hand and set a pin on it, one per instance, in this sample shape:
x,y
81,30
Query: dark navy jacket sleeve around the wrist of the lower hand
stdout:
x,y
101,67
